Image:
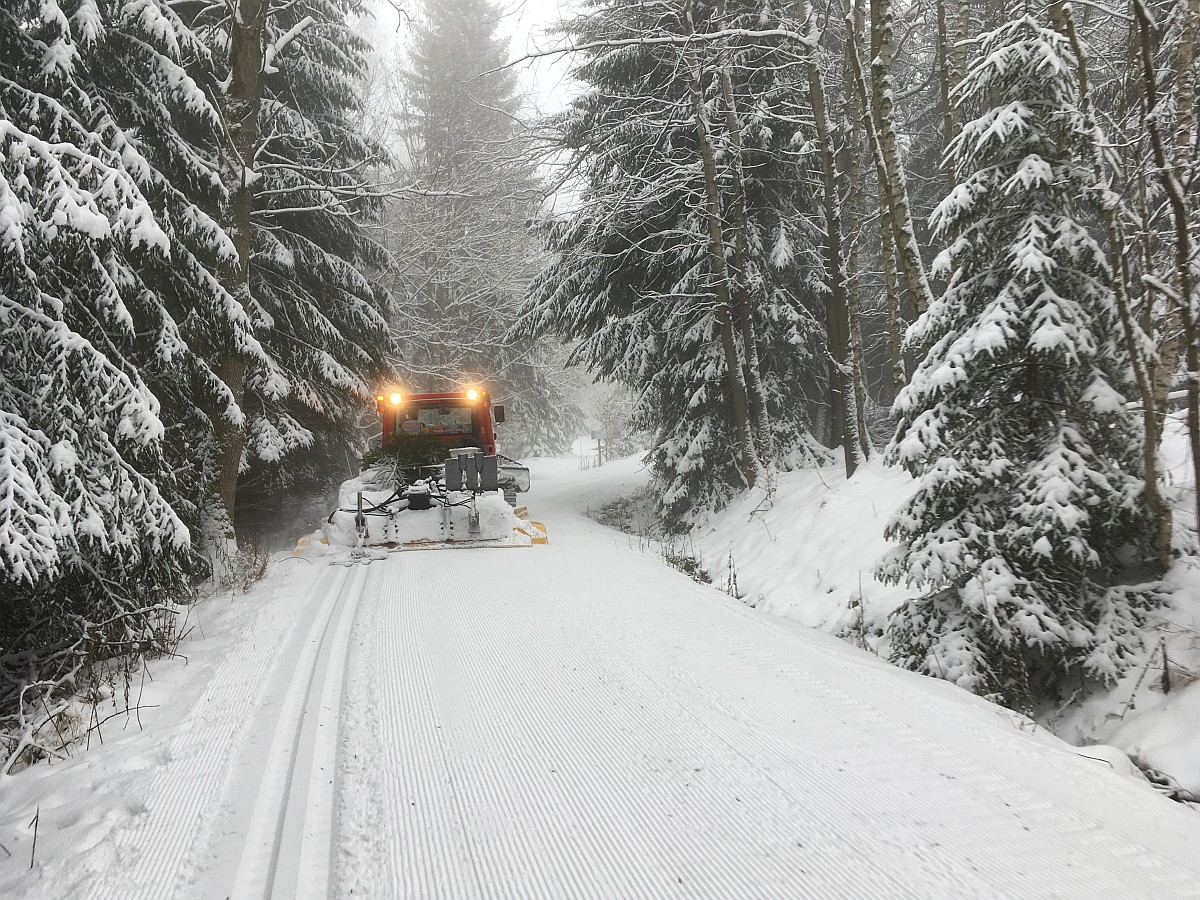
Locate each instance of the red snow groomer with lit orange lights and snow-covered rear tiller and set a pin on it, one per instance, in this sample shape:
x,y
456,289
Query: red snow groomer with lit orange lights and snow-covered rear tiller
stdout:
x,y
436,479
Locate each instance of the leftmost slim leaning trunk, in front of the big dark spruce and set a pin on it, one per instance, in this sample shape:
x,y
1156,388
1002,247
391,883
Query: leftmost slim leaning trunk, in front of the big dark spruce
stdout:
x,y
746,453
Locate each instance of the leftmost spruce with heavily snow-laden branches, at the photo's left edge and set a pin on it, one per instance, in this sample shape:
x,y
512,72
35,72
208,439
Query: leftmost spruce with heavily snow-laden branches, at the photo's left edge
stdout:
x,y
89,545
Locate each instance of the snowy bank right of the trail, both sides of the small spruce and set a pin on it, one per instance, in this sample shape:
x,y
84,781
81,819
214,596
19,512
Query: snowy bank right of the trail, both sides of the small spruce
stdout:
x,y
811,554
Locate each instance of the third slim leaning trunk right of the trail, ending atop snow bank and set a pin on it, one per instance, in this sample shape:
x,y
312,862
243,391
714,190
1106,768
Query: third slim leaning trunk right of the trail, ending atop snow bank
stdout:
x,y
843,381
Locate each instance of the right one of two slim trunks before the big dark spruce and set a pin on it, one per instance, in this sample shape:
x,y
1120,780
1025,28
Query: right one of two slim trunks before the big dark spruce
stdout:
x,y
758,394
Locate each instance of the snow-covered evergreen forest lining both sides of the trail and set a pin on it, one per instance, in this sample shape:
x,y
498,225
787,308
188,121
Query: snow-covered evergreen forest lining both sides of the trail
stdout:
x,y
959,236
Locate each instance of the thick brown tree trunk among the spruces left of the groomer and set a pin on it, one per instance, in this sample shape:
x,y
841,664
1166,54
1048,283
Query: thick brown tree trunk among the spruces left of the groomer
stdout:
x,y
243,106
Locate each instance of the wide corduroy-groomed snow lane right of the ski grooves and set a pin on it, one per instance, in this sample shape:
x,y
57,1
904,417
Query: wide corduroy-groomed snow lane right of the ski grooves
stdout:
x,y
577,722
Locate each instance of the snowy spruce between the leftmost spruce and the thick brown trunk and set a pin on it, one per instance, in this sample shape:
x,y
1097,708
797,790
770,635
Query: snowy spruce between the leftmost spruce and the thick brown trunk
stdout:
x,y
153,107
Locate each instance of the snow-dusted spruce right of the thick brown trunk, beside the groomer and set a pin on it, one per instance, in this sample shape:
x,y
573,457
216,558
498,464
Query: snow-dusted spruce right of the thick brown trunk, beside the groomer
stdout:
x,y
320,313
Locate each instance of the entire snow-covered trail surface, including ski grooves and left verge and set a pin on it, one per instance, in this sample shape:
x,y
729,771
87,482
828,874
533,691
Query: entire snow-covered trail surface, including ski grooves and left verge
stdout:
x,y
578,721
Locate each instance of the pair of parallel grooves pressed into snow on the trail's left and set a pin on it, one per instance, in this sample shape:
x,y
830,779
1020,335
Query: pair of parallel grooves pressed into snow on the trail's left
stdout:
x,y
289,851
